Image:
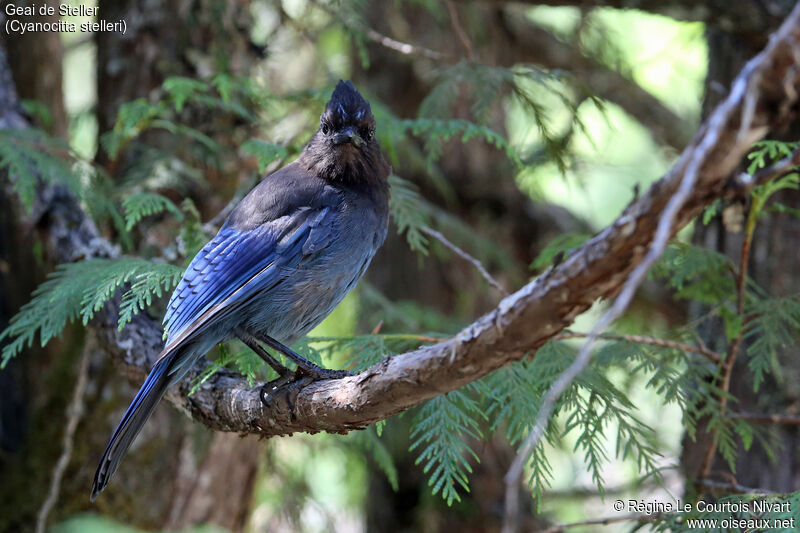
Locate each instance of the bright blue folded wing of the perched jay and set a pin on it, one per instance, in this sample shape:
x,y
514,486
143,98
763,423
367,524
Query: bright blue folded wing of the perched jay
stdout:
x,y
236,264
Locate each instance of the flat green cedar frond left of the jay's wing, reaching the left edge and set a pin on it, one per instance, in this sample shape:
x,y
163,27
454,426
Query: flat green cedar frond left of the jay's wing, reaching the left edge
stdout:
x,y
80,290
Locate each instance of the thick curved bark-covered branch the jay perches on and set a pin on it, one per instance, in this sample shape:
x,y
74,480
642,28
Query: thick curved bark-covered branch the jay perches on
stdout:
x,y
520,324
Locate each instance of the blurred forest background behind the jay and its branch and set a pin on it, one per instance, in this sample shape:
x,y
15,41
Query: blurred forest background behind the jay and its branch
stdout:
x,y
516,130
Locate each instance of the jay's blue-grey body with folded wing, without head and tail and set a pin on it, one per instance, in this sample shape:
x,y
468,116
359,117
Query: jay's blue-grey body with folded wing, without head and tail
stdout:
x,y
277,234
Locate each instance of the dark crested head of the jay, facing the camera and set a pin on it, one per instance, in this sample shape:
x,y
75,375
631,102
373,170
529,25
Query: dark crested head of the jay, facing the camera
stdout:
x,y
344,148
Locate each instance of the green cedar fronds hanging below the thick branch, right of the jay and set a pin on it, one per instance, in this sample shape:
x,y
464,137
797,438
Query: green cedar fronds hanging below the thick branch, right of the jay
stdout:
x,y
509,399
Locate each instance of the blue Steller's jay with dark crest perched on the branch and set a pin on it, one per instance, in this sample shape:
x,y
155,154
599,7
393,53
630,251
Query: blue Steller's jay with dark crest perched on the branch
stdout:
x,y
285,257
